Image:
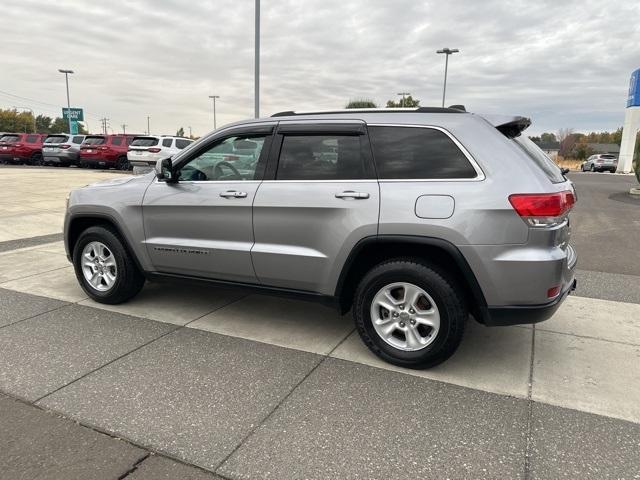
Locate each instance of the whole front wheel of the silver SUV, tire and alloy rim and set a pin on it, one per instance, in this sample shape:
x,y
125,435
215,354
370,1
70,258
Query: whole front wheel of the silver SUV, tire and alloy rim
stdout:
x,y
104,268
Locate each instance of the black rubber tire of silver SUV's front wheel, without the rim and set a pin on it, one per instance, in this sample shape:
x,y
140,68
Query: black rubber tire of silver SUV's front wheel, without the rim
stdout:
x,y
129,279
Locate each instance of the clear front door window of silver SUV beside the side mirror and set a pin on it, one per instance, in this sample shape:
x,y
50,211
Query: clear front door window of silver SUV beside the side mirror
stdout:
x,y
232,159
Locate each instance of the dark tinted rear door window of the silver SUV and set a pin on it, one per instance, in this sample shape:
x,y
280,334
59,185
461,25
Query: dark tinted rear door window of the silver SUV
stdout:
x,y
321,157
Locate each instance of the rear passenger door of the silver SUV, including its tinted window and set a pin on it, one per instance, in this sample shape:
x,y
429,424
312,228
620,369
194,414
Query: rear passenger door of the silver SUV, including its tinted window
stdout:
x,y
320,197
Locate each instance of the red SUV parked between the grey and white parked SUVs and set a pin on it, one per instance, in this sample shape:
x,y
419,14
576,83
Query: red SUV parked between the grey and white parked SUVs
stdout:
x,y
107,151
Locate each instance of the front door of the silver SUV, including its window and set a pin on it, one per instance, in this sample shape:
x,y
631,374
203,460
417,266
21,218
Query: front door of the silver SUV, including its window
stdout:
x,y
202,225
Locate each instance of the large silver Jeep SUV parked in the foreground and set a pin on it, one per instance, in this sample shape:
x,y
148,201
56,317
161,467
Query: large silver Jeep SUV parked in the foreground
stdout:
x,y
412,218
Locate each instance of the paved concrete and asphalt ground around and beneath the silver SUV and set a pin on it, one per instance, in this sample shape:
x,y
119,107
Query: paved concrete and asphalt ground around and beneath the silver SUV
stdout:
x,y
200,382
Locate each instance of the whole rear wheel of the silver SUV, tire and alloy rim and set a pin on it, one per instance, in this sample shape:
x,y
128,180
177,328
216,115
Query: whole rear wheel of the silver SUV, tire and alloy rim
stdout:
x,y
410,314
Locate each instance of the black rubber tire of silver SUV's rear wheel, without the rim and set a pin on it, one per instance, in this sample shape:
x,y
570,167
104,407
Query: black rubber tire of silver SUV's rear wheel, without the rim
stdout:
x,y
451,303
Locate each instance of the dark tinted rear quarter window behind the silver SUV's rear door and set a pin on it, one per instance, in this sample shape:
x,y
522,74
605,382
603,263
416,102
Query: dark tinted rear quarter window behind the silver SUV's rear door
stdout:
x,y
417,153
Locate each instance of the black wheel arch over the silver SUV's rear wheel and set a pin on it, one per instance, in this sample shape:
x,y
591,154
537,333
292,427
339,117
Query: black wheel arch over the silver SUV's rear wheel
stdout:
x,y
370,251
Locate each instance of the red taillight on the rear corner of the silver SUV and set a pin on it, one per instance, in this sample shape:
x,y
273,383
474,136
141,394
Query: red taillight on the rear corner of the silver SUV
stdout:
x,y
542,209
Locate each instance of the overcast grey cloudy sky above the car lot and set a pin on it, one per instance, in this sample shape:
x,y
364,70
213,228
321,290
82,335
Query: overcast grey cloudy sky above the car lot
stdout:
x,y
563,63
